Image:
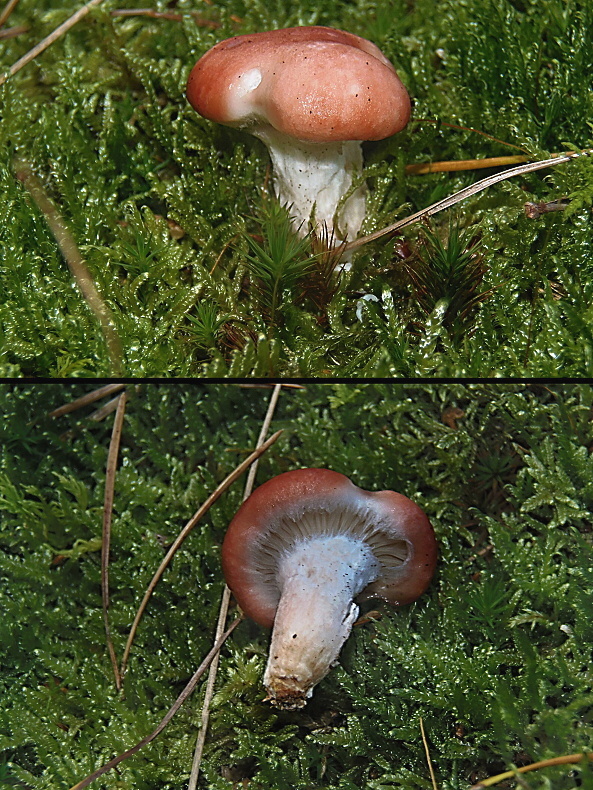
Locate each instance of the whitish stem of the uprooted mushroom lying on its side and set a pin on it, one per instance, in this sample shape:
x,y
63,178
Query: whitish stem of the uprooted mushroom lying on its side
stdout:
x,y
318,580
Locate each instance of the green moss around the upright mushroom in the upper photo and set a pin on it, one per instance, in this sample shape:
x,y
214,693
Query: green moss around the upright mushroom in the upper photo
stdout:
x,y
159,200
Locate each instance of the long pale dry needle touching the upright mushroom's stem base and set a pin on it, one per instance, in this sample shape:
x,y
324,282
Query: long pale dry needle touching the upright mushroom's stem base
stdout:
x,y
457,197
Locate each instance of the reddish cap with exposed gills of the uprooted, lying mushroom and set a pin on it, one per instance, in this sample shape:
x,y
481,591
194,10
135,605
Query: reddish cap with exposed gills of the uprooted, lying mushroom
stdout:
x,y
311,503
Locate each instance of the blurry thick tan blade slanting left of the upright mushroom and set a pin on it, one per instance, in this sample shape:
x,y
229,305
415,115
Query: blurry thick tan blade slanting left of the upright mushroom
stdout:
x,y
75,262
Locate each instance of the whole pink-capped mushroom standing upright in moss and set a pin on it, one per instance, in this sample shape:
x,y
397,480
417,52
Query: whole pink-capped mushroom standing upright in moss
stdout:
x,y
312,94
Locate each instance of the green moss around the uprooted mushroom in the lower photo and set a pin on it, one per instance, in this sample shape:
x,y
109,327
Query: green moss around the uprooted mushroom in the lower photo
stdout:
x,y
495,657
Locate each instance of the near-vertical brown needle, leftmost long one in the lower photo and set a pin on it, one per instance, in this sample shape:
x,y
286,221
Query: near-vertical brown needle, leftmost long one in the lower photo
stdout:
x,y
107,514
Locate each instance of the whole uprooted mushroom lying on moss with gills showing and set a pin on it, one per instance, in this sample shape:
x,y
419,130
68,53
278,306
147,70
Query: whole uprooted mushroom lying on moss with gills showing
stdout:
x,y
298,552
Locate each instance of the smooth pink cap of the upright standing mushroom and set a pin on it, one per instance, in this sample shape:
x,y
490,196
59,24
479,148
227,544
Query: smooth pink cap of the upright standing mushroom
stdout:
x,y
314,84
